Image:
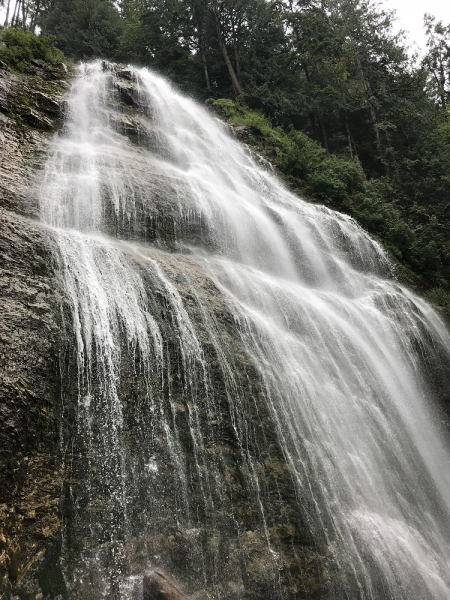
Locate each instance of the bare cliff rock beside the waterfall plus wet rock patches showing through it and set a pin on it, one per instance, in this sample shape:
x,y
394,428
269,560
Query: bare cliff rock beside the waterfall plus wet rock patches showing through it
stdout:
x,y
235,543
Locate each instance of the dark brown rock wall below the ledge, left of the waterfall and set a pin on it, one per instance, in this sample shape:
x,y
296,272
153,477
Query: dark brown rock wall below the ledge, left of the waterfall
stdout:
x,y
29,386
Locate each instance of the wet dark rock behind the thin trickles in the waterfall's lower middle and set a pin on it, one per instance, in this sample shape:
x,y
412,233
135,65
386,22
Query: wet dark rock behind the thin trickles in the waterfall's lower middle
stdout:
x,y
200,520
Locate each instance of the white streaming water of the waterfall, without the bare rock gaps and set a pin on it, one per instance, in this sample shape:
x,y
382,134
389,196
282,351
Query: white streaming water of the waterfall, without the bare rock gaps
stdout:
x,y
342,348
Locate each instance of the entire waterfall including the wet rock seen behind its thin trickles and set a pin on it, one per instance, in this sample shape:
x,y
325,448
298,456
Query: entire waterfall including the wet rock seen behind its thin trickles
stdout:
x,y
208,305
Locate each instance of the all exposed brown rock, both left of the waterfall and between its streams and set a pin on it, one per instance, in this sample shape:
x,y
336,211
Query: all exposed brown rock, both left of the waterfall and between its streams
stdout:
x,y
41,475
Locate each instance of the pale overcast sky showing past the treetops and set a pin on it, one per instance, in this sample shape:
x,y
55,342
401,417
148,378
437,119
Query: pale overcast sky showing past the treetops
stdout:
x,y
410,17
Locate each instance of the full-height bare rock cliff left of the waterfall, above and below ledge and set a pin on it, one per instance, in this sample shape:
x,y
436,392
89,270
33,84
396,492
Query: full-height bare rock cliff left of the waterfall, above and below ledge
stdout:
x,y
29,383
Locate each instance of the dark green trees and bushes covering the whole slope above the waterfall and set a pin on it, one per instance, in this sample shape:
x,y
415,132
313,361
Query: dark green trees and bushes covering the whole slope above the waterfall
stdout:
x,y
333,96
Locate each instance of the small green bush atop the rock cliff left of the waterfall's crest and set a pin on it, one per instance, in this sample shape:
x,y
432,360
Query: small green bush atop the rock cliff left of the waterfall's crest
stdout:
x,y
22,46
